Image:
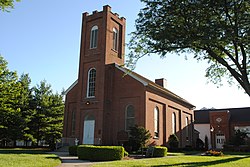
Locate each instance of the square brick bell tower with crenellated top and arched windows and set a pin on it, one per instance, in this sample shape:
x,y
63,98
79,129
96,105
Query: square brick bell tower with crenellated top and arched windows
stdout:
x,y
102,43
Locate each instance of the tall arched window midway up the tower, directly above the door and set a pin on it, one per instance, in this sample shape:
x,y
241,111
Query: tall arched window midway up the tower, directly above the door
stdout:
x,y
91,83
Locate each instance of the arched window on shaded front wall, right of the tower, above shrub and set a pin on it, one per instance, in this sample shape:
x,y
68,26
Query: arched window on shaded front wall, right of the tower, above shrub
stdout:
x,y
130,117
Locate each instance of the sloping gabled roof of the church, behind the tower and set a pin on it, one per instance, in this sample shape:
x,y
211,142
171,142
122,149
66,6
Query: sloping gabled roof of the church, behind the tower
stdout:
x,y
148,83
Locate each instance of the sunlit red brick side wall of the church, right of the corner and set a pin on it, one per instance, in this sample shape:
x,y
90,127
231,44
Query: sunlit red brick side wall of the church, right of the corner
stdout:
x,y
167,107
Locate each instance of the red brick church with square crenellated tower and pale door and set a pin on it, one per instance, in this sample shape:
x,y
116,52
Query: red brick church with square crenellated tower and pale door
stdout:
x,y
106,100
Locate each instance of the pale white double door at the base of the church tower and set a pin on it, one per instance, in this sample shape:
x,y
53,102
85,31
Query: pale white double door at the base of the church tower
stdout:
x,y
88,132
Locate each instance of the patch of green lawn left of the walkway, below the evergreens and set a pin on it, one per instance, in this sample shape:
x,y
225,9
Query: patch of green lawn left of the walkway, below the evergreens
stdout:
x,y
27,158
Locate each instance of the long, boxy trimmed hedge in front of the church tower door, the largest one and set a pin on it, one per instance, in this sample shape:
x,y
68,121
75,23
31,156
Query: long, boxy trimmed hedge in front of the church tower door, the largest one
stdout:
x,y
100,153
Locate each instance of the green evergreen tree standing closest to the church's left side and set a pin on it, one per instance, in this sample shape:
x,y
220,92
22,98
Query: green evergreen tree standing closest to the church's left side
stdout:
x,y
47,118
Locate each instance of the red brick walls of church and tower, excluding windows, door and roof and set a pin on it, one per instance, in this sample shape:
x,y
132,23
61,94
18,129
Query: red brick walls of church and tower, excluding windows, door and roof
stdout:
x,y
114,91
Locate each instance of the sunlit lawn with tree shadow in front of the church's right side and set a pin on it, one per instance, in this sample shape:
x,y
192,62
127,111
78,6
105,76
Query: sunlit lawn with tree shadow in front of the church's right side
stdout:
x,y
180,160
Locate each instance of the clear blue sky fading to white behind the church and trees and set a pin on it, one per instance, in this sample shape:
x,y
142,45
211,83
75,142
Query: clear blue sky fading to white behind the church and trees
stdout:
x,y
42,38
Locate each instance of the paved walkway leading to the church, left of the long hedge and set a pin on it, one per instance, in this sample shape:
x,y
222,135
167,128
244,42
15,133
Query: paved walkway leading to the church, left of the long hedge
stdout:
x,y
71,161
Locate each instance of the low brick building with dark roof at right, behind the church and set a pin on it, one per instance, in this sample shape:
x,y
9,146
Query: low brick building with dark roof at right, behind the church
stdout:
x,y
219,125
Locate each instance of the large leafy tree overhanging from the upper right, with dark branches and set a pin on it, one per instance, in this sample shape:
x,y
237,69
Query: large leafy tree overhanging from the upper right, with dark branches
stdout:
x,y
216,31
